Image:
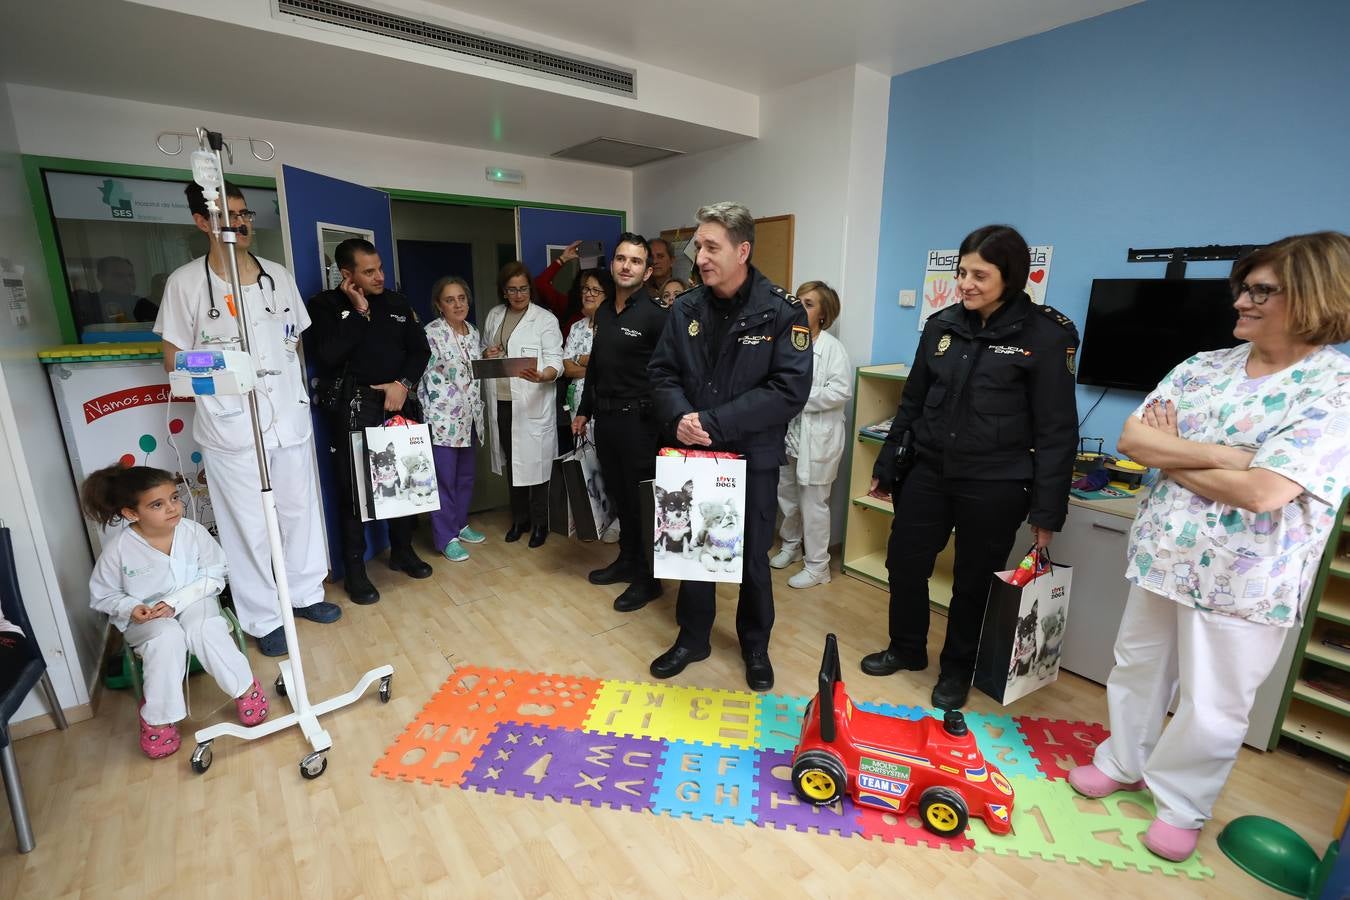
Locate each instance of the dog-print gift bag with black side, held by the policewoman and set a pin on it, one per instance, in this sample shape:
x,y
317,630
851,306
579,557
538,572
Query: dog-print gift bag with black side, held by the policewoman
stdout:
x,y
1024,634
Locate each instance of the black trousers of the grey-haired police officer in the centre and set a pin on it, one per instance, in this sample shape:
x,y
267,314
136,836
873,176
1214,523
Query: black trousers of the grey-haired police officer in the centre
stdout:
x,y
697,604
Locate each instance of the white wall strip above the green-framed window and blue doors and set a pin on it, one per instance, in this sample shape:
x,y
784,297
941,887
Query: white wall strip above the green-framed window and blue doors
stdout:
x,y
61,123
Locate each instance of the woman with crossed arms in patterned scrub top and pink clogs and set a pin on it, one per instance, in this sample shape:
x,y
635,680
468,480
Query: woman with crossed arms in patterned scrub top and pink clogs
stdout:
x,y
1253,445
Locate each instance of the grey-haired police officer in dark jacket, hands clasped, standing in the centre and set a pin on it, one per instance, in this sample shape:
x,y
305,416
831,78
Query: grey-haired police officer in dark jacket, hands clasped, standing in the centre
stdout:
x,y
732,369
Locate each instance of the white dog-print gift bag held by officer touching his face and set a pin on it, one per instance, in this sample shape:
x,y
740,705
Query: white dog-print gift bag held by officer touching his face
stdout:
x,y
400,474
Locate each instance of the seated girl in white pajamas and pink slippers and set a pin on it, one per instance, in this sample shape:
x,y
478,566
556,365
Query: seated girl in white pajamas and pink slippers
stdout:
x,y
159,581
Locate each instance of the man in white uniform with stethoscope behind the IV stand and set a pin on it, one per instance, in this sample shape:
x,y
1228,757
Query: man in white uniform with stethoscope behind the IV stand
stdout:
x,y
196,315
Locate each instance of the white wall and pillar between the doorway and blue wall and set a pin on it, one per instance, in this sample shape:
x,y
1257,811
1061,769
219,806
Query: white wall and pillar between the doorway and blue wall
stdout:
x,y
820,157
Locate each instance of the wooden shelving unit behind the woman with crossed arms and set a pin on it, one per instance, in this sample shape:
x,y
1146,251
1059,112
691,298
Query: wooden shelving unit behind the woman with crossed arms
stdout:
x,y
1310,714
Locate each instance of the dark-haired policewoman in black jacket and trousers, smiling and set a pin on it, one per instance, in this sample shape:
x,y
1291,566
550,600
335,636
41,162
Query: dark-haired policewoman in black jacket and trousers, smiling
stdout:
x,y
989,412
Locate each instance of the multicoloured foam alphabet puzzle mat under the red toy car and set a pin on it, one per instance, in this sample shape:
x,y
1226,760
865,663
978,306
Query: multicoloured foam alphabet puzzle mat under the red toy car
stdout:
x,y
727,756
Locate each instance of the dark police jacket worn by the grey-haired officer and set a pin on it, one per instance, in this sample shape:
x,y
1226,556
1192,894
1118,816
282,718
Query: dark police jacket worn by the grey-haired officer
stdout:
x,y
761,378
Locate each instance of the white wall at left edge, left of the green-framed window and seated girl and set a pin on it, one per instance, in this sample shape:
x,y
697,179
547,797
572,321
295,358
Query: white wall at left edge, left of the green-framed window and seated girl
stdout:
x,y
37,492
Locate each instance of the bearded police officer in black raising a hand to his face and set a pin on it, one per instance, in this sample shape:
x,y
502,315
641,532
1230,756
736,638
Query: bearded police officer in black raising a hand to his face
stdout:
x,y
372,342
